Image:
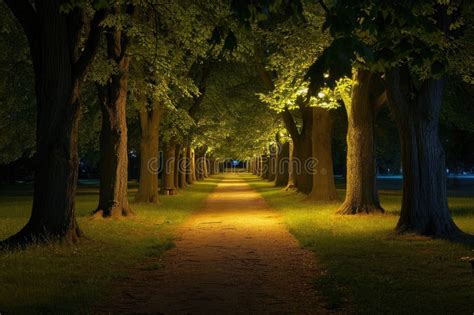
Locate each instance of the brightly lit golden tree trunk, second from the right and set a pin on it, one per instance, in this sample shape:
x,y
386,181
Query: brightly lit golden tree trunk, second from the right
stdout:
x,y
361,189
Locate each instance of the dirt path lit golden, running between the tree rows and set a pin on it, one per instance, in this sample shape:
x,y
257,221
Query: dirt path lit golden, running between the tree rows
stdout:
x,y
233,256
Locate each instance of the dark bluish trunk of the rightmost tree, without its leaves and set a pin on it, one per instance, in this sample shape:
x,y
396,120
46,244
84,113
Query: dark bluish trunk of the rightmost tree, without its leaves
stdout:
x,y
424,205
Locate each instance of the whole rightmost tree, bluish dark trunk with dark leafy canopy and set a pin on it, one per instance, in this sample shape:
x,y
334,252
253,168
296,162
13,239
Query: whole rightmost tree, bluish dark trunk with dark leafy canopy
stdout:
x,y
410,43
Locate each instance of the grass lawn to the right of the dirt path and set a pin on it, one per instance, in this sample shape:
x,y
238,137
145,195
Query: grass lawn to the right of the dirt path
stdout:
x,y
368,269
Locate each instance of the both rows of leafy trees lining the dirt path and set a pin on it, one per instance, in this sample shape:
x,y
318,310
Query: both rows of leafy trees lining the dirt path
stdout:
x,y
205,79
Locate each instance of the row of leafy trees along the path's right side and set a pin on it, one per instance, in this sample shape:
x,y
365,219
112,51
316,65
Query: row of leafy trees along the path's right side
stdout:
x,y
370,54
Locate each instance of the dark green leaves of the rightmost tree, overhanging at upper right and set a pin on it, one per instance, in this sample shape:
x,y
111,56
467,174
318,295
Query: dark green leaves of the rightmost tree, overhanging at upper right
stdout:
x,y
383,34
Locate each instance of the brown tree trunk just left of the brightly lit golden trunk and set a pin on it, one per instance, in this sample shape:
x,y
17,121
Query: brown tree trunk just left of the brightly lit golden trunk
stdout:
x,y
324,188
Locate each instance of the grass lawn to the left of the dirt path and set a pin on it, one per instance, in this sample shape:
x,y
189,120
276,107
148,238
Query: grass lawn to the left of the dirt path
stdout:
x,y
71,279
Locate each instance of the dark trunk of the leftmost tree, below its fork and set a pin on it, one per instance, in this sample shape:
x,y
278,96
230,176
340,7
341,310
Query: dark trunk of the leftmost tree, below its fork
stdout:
x,y
53,212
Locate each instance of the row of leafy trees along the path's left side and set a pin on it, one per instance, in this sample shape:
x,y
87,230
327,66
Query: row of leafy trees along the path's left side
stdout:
x,y
127,64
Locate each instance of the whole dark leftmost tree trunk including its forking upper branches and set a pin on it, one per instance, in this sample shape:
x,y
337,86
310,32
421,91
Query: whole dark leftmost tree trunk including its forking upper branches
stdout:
x,y
59,68
